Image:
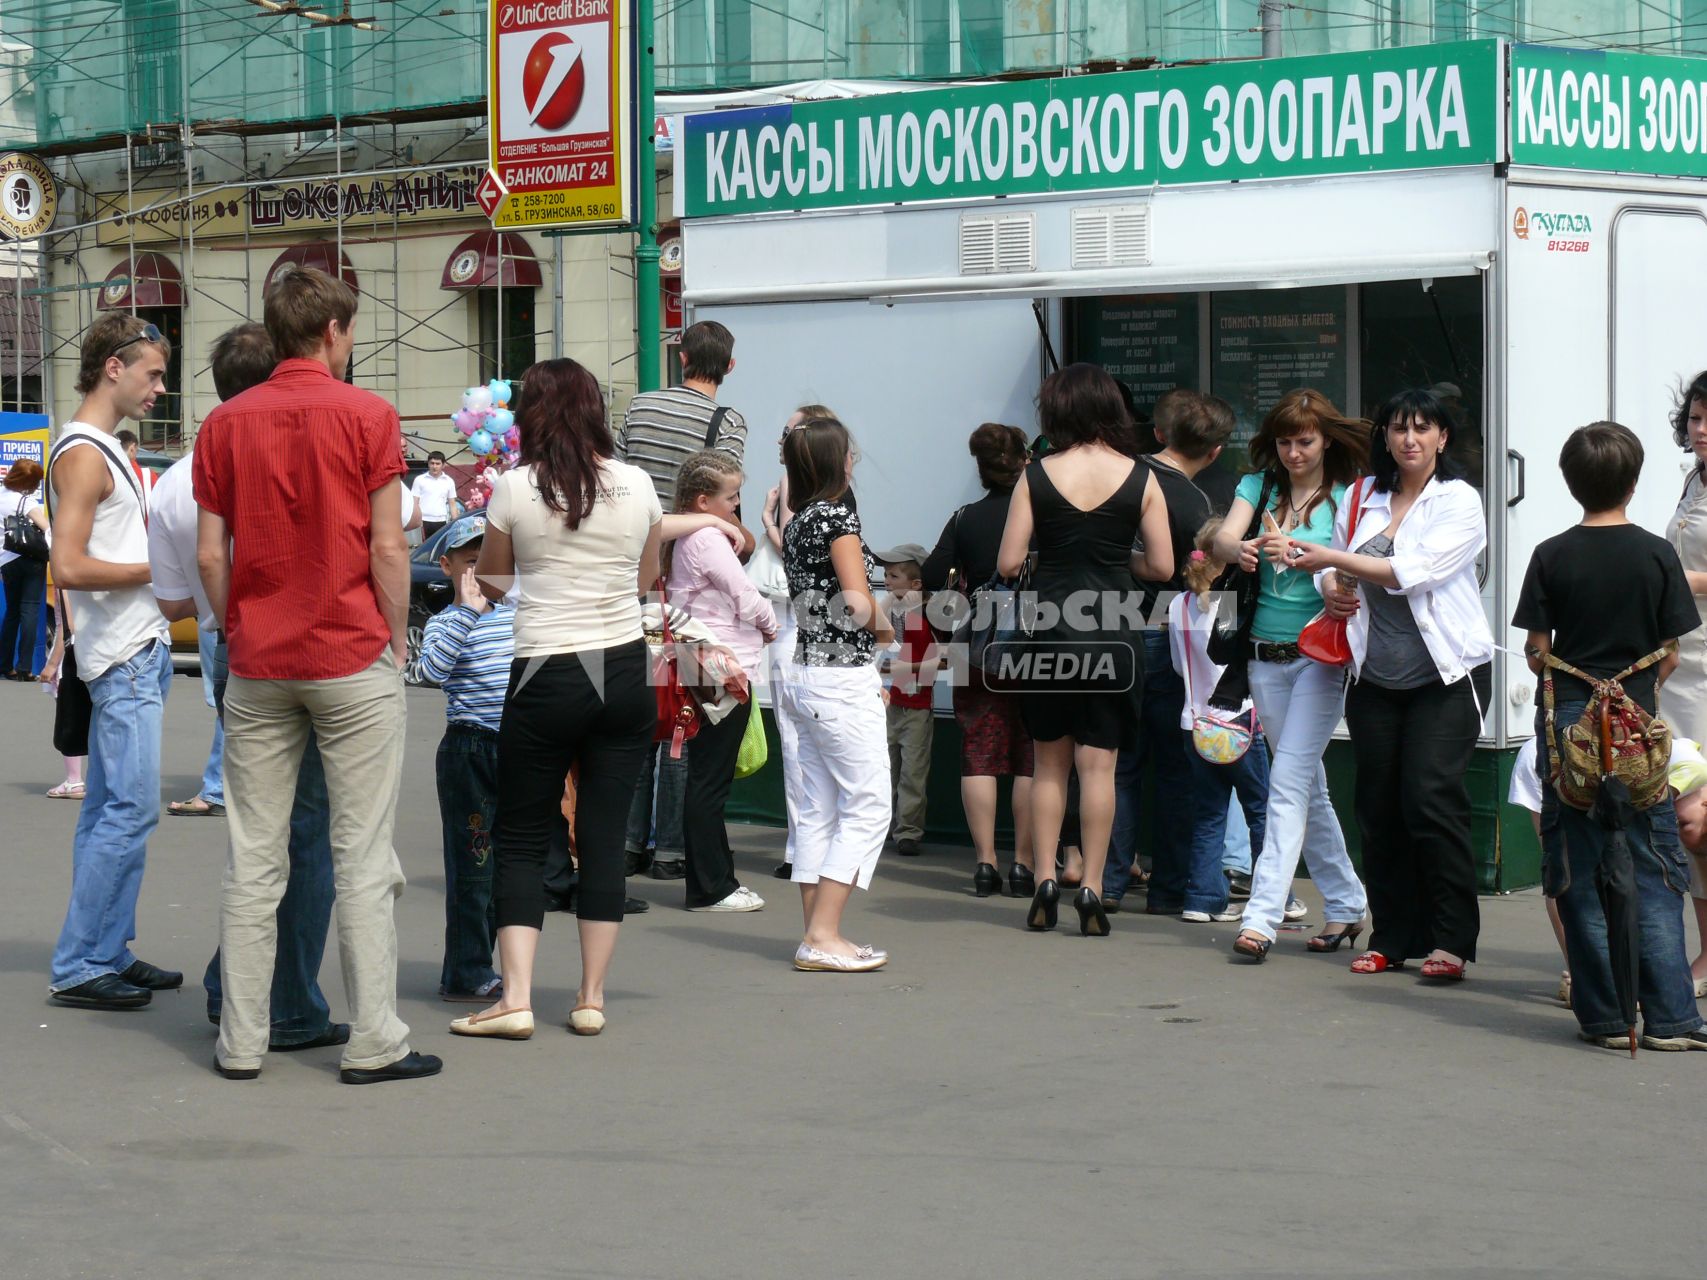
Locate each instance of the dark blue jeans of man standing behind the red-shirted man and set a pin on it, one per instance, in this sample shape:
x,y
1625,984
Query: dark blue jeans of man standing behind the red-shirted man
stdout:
x,y
300,1009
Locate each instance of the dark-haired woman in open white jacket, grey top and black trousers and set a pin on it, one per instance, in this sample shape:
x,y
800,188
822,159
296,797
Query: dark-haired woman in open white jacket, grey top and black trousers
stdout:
x,y
1421,651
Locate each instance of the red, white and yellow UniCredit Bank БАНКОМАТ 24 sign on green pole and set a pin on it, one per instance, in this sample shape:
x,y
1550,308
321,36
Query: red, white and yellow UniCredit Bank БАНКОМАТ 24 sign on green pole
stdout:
x,y
562,113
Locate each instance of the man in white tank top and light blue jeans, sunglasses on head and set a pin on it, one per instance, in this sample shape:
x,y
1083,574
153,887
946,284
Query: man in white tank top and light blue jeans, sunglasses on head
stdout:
x,y
102,561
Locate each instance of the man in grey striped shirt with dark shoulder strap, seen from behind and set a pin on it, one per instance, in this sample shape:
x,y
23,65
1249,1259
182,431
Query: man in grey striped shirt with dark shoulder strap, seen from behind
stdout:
x,y
661,429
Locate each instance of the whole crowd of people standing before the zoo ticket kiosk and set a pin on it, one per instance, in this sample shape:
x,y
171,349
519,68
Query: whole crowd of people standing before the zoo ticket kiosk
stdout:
x,y
1114,614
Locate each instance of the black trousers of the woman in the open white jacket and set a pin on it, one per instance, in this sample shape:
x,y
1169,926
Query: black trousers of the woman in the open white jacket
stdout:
x,y
1414,813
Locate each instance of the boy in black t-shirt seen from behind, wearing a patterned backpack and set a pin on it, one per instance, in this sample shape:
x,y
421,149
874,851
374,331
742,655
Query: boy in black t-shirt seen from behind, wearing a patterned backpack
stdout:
x,y
1602,596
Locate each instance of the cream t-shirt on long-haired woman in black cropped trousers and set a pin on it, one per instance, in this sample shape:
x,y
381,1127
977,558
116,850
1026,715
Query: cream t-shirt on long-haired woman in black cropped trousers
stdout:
x,y
578,588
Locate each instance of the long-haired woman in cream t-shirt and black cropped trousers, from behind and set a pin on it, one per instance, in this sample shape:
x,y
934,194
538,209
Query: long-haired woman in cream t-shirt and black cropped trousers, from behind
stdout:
x,y
578,533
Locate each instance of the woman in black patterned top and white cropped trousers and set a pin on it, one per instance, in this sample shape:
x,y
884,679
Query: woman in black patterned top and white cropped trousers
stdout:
x,y
841,789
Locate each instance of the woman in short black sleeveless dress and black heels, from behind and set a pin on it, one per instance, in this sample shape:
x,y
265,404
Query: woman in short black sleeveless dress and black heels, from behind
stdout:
x,y
1088,504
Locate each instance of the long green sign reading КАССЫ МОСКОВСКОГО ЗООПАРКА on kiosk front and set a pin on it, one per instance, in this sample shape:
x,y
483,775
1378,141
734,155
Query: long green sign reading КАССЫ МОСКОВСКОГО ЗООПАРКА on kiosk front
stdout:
x,y
1349,113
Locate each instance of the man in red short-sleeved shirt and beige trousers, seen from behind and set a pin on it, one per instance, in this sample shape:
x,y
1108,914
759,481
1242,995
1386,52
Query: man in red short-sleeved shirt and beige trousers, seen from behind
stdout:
x,y
301,550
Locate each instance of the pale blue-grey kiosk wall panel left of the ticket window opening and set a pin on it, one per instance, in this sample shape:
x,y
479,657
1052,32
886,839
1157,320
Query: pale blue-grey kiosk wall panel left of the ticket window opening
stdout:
x,y
911,381
